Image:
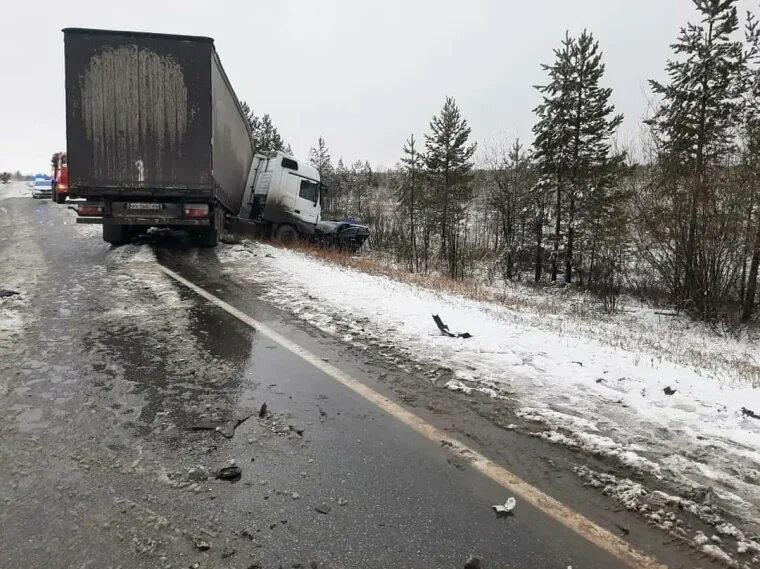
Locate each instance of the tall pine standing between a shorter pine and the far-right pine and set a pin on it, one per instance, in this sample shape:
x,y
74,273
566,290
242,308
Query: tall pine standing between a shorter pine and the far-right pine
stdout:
x,y
573,143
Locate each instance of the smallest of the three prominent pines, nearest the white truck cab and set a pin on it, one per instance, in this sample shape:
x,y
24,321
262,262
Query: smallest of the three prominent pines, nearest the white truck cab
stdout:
x,y
448,165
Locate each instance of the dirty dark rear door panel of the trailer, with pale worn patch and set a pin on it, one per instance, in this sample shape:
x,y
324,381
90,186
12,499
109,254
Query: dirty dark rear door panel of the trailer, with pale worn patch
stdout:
x,y
138,110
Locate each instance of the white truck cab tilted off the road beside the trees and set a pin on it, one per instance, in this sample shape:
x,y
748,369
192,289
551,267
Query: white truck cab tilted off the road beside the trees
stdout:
x,y
284,194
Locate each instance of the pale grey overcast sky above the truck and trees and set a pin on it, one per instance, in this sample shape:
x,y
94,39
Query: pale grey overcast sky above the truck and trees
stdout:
x,y
363,74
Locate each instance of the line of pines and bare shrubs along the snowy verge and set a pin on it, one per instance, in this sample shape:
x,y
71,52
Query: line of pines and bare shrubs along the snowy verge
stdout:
x,y
676,219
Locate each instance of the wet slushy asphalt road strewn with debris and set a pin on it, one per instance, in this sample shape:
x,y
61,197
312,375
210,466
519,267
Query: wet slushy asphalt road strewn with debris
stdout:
x,y
117,380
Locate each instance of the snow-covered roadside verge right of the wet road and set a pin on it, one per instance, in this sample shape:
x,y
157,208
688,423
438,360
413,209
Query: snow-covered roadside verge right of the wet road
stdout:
x,y
597,388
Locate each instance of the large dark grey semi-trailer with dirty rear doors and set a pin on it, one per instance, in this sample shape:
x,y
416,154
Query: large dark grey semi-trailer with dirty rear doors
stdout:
x,y
155,134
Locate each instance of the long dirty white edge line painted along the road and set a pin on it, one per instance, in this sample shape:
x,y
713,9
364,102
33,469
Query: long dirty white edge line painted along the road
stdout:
x,y
556,510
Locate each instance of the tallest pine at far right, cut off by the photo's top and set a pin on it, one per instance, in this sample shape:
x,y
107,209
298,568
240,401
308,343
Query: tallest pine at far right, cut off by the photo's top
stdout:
x,y
694,127
